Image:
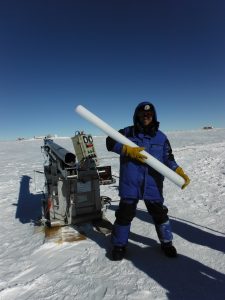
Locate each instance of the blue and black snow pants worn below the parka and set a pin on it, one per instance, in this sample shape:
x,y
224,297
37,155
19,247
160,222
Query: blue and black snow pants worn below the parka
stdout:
x,y
127,211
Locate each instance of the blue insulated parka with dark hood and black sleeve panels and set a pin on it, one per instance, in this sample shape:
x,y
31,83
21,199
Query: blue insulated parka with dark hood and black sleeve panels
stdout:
x,y
138,180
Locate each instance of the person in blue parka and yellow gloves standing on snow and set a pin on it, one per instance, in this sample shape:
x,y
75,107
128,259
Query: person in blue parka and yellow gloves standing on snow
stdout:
x,y
140,181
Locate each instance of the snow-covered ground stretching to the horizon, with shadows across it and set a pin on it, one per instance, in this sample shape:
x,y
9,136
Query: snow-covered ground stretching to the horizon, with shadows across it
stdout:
x,y
33,269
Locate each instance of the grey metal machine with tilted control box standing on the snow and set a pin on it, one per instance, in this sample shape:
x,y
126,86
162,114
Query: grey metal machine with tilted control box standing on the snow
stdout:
x,y
72,182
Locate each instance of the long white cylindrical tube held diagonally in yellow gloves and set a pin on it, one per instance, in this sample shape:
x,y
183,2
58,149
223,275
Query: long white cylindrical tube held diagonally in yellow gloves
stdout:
x,y
150,160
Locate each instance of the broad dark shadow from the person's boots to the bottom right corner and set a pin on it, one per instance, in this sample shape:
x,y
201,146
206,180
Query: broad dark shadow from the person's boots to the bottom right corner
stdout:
x,y
182,277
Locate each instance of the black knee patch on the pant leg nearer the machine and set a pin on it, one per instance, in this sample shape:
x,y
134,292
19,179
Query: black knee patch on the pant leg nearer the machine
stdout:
x,y
125,213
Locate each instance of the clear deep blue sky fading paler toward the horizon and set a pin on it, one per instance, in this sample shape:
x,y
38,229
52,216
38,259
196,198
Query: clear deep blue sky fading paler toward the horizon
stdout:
x,y
109,56
